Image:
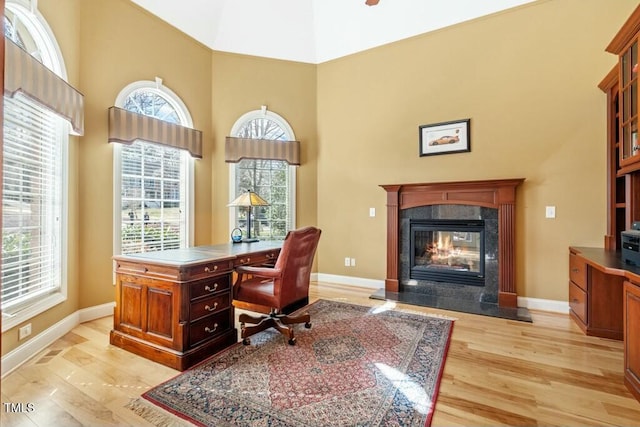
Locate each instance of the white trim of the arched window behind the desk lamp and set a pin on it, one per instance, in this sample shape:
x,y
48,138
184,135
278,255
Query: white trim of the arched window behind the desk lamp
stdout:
x,y
292,170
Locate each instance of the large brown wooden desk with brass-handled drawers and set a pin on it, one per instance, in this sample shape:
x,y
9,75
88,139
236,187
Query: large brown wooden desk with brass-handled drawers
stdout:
x,y
174,306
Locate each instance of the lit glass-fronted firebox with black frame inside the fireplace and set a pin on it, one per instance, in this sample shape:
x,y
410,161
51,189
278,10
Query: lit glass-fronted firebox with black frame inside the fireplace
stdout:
x,y
449,251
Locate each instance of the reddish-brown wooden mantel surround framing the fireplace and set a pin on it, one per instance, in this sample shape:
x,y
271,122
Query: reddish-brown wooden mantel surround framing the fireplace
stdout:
x,y
498,193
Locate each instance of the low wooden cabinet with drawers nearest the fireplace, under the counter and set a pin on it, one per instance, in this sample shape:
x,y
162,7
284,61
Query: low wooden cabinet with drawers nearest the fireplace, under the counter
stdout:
x,y
595,294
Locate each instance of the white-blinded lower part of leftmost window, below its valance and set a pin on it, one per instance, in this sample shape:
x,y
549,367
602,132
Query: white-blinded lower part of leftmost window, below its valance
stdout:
x,y
32,202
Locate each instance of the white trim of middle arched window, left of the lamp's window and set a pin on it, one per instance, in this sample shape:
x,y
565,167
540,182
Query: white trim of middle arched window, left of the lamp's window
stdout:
x,y
186,120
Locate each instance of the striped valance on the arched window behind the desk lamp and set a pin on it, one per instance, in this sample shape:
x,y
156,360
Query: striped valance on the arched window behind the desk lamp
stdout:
x,y
237,149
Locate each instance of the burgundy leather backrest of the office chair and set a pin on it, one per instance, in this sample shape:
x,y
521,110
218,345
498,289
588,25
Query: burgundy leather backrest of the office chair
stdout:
x,y
295,262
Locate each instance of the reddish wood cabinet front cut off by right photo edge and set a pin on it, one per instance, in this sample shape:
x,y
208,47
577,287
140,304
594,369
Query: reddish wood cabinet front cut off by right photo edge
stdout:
x,y
632,337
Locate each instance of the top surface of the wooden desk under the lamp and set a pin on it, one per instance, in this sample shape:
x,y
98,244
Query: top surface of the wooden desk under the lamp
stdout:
x,y
200,254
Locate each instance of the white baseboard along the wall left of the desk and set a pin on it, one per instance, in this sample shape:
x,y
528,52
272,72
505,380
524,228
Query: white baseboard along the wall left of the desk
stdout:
x,y
35,345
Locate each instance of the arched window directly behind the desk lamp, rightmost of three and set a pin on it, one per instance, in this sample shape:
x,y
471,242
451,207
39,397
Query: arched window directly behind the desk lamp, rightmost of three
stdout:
x,y
273,180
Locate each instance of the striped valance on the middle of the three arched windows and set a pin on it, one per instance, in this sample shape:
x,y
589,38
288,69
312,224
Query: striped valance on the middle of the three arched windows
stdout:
x,y
127,127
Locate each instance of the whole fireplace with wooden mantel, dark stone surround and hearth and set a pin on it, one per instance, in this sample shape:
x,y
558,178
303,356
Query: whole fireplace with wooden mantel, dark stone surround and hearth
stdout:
x,y
475,273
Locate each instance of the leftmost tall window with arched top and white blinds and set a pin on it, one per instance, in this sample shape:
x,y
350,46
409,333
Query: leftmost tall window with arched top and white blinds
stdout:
x,y
34,190
